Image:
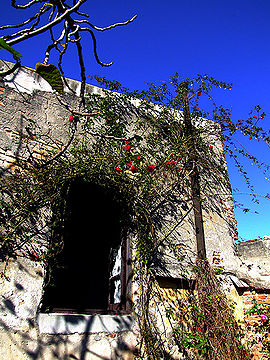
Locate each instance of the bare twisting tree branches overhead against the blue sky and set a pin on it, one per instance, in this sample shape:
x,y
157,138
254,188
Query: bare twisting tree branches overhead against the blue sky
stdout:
x,y
74,23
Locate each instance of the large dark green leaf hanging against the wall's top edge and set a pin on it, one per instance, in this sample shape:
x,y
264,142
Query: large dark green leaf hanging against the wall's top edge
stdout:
x,y
51,74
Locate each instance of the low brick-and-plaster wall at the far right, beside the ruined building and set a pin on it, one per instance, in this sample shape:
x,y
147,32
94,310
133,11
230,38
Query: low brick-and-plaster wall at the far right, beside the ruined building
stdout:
x,y
254,296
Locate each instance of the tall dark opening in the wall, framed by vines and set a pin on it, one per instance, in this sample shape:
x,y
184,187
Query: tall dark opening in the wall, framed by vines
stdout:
x,y
93,239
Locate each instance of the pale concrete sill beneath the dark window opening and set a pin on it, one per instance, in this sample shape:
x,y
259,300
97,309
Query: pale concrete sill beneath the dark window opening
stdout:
x,y
54,323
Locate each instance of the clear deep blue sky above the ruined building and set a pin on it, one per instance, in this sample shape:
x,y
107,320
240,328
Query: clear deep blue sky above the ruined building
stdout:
x,y
226,39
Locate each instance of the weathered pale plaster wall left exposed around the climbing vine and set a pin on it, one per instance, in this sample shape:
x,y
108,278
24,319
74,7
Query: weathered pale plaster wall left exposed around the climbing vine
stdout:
x,y
27,100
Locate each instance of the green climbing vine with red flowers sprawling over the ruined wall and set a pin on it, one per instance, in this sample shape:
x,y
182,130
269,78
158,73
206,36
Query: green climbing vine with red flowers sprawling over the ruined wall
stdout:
x,y
170,155
